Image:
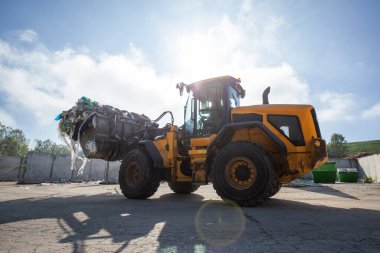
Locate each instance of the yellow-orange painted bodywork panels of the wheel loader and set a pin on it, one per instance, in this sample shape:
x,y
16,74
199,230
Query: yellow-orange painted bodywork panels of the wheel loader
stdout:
x,y
300,159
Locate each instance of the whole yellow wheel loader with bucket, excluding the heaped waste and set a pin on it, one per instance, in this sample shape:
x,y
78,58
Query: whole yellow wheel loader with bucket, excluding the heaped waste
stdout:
x,y
246,152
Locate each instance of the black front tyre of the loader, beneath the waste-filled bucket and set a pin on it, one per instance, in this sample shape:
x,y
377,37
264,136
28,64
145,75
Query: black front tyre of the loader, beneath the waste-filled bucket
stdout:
x,y
137,177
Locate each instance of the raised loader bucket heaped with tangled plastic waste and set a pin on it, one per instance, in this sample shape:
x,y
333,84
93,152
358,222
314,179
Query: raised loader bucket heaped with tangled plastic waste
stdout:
x,y
102,130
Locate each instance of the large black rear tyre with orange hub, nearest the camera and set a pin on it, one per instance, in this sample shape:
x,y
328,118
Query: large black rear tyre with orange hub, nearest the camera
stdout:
x,y
243,173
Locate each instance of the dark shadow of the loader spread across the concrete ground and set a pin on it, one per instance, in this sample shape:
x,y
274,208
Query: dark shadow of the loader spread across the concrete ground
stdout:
x,y
191,224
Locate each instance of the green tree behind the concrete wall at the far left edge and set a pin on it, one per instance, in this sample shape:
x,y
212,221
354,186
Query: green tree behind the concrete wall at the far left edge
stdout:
x,y
12,142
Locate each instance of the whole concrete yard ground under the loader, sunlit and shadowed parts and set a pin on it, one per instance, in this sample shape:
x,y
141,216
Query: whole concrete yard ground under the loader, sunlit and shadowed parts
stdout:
x,y
97,218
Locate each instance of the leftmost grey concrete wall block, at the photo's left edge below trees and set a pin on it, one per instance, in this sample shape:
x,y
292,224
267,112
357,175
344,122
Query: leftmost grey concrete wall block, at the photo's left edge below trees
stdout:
x,y
10,168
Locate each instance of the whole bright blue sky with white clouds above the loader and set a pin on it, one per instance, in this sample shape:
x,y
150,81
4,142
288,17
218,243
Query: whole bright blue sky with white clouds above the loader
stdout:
x,y
130,54
